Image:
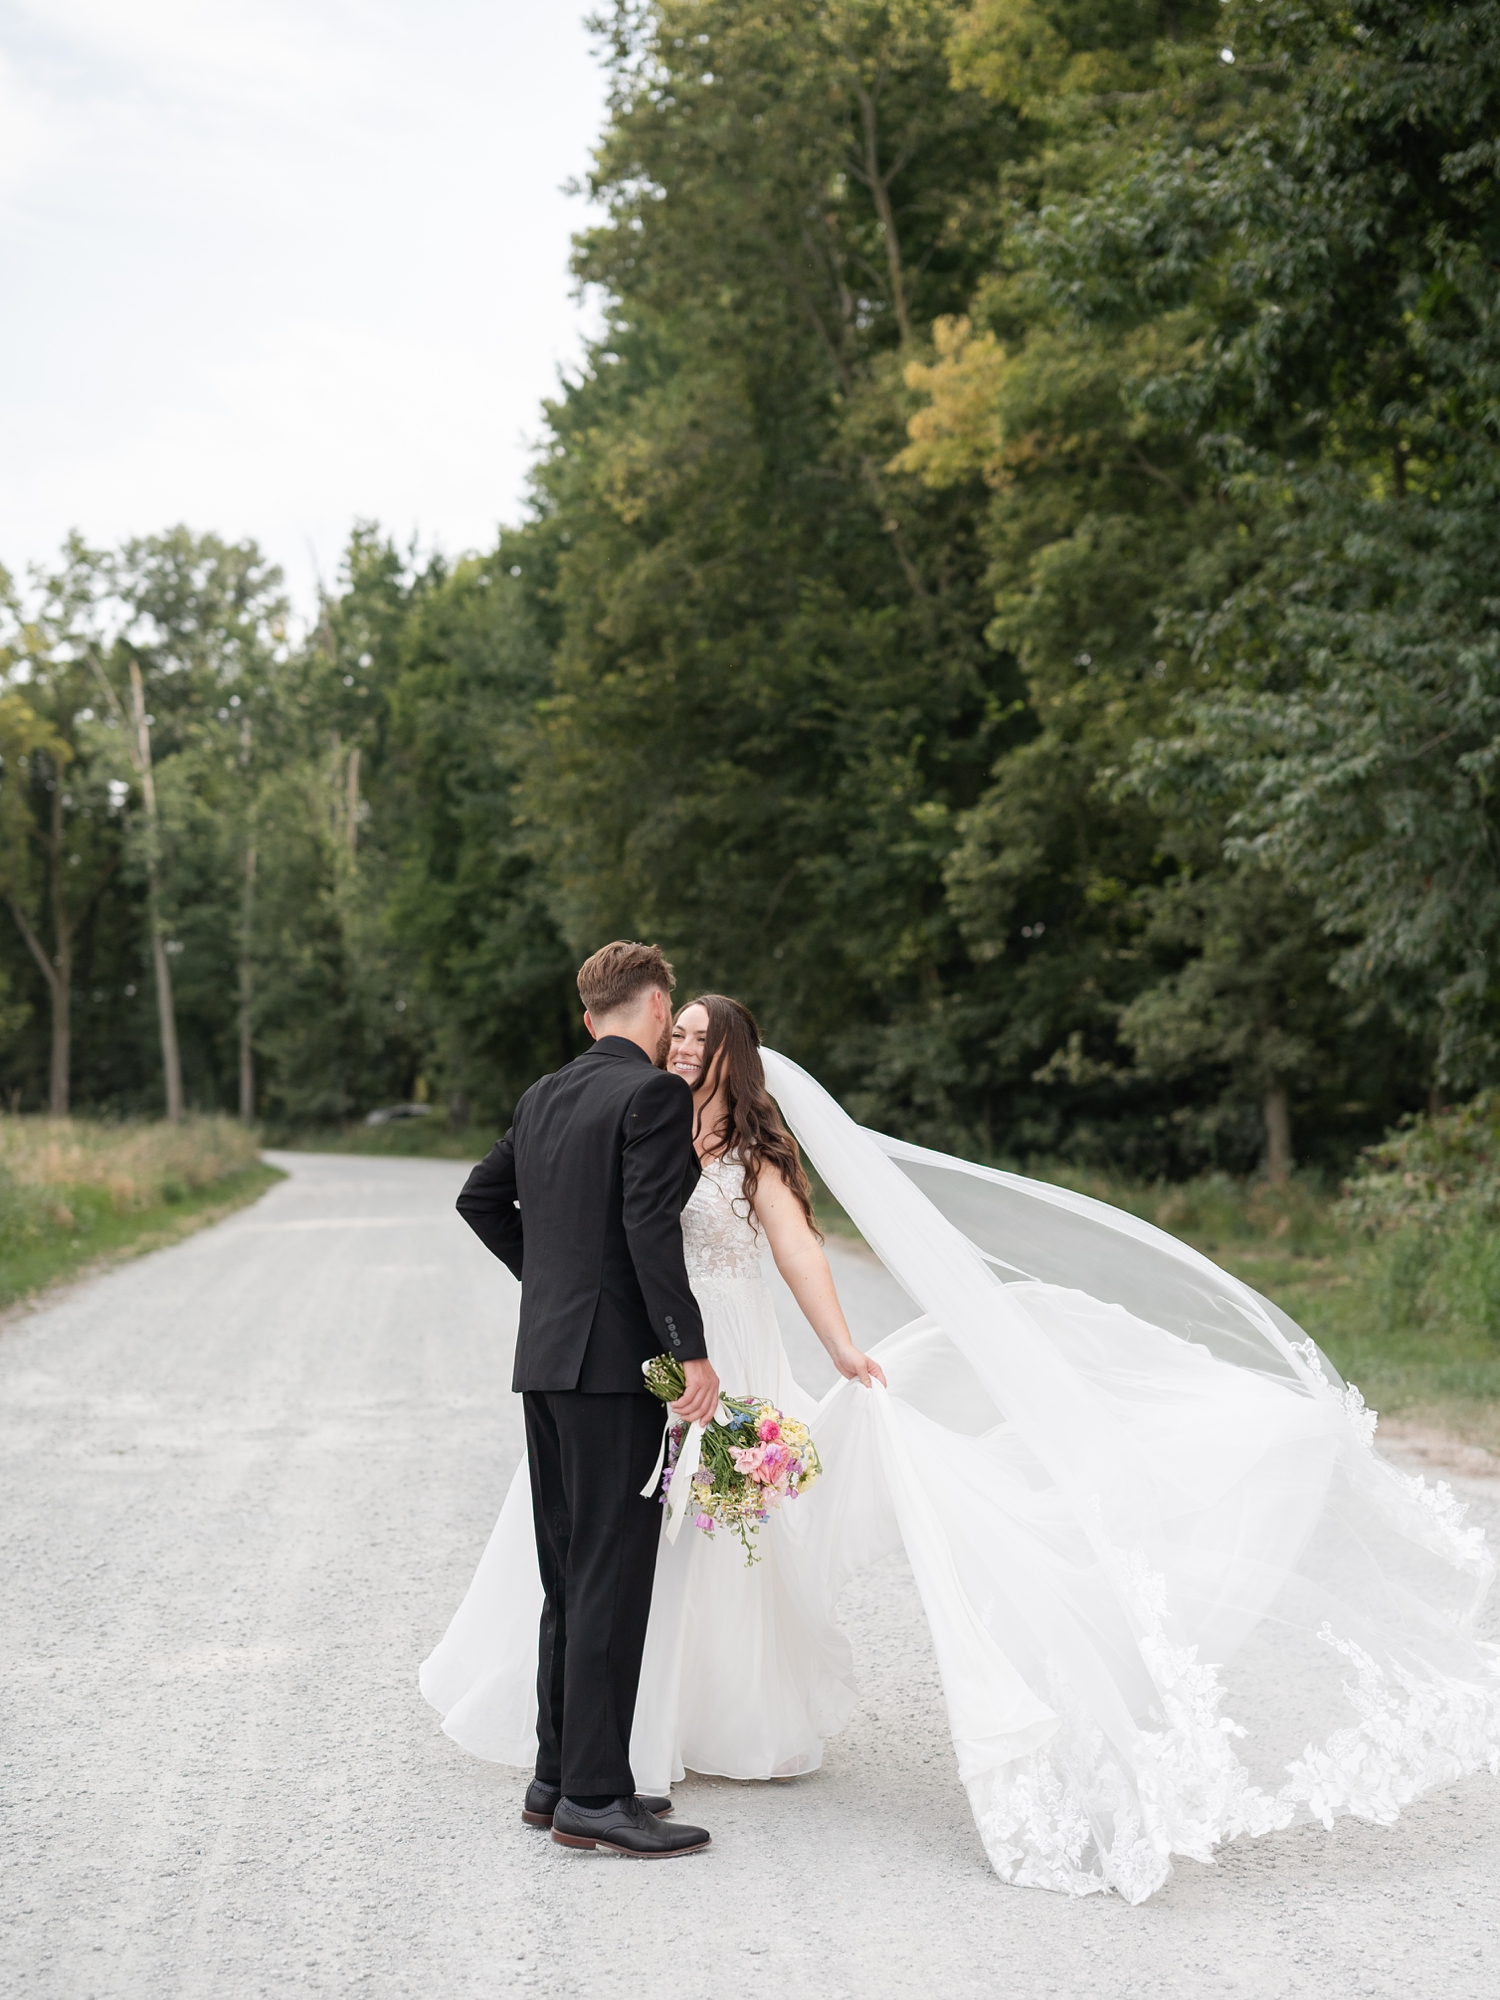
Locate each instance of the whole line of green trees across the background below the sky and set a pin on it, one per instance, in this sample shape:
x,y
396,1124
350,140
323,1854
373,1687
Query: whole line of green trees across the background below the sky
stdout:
x,y
1011,593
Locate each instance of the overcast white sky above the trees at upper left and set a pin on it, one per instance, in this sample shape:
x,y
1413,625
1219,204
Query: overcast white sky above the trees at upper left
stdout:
x,y
271,265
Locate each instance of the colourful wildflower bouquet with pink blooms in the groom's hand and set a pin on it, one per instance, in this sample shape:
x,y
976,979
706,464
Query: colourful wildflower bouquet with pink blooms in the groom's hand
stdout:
x,y
749,1461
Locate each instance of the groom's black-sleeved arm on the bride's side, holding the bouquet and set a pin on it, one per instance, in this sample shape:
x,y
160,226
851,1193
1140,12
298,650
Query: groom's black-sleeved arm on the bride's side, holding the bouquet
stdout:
x,y
657,1153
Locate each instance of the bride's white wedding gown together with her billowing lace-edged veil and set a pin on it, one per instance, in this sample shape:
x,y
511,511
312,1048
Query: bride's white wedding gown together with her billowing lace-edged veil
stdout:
x,y
1175,1595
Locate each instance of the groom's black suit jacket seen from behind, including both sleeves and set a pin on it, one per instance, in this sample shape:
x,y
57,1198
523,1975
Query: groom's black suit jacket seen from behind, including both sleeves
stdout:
x,y
583,1199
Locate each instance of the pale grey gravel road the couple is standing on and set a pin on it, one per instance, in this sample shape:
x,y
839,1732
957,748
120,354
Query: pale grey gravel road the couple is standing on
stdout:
x,y
245,1487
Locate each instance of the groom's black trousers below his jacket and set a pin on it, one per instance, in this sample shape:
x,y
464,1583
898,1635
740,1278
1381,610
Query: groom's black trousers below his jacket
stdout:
x,y
597,1553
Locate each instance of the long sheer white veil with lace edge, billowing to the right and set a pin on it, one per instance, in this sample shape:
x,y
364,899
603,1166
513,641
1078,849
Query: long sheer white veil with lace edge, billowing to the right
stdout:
x,y
1173,1589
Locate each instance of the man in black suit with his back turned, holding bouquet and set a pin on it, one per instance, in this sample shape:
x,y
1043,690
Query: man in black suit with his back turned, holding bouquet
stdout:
x,y
583,1199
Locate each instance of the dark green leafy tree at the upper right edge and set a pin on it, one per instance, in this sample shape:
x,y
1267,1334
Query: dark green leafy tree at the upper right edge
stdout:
x,y
1343,701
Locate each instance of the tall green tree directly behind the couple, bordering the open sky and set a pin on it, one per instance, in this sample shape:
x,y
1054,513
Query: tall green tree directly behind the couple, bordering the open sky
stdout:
x,y
771,683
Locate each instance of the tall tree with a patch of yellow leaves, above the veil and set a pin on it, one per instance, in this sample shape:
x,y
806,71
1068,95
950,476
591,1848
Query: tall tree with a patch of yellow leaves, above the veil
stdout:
x,y
1097,509
